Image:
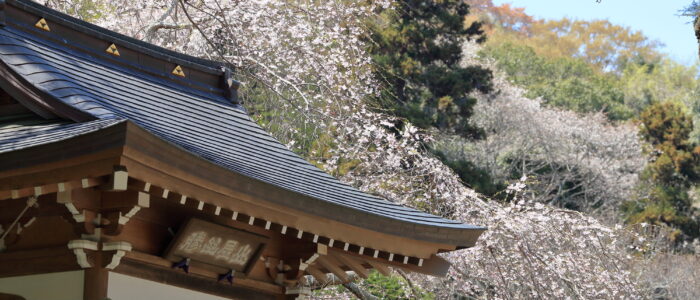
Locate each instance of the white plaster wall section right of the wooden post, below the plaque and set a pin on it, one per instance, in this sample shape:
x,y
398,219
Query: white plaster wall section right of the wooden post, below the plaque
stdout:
x,y
123,287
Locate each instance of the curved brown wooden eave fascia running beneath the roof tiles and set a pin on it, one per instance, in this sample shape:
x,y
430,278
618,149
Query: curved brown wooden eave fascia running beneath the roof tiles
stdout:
x,y
150,159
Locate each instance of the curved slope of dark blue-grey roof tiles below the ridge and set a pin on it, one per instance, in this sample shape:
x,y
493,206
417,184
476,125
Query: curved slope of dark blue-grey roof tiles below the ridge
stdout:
x,y
205,124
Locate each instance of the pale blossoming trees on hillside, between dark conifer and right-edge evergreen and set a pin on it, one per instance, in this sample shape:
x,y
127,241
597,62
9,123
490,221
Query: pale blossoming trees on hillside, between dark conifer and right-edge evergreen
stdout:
x,y
578,161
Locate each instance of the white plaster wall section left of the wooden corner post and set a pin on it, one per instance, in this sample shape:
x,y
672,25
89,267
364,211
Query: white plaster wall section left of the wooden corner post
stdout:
x,y
53,286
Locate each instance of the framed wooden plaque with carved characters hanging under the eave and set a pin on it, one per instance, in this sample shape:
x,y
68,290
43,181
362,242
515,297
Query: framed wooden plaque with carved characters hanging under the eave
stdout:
x,y
194,226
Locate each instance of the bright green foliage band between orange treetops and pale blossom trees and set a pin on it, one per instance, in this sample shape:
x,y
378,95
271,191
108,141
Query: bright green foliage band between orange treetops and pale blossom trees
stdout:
x,y
565,82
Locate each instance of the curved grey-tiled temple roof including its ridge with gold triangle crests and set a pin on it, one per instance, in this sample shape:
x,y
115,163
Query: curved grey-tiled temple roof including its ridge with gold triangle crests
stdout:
x,y
89,89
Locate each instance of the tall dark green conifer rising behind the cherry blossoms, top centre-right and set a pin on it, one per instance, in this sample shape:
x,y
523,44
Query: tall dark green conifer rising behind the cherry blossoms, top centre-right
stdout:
x,y
417,48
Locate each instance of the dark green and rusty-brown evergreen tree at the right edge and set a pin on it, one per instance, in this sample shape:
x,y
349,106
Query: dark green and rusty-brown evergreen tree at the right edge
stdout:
x,y
674,170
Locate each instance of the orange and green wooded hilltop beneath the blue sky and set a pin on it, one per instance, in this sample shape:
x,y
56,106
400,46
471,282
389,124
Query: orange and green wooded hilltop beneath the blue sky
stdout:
x,y
585,66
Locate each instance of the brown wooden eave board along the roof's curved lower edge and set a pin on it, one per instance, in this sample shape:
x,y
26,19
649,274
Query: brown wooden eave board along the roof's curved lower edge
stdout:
x,y
137,148
